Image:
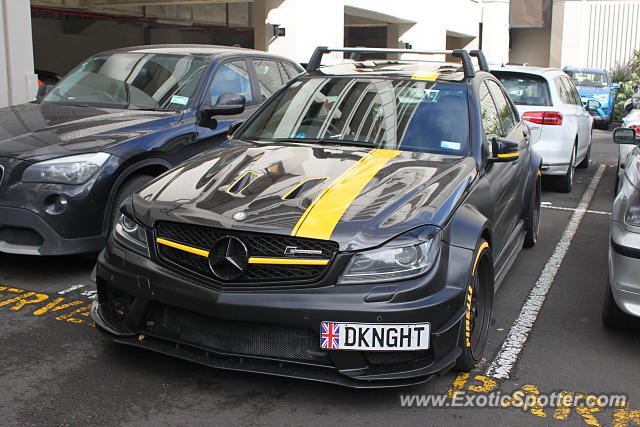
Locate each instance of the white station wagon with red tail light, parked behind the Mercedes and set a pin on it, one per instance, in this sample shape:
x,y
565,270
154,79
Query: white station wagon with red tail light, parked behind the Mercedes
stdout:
x,y
560,126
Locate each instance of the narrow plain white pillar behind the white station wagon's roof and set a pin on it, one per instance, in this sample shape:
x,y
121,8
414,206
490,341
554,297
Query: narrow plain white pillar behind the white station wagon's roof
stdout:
x,y
495,31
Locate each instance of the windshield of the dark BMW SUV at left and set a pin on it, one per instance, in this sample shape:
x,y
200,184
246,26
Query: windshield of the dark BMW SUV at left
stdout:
x,y
131,80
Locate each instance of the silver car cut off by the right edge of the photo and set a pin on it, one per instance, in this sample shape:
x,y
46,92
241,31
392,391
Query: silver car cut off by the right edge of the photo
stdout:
x,y
622,298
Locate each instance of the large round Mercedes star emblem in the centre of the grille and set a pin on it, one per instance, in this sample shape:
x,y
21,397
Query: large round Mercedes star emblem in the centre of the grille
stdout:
x,y
228,258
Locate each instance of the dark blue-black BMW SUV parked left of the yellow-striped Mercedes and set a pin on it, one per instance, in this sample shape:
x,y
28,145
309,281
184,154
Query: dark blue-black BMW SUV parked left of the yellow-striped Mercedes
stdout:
x,y
112,124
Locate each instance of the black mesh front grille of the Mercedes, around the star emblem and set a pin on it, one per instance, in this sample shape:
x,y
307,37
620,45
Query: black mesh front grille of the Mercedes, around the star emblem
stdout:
x,y
259,245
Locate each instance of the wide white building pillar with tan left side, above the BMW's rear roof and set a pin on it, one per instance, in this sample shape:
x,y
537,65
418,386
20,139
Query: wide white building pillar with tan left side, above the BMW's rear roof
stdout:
x,y
307,24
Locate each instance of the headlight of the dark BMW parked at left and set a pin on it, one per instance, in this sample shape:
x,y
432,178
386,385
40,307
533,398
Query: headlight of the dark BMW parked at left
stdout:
x,y
73,170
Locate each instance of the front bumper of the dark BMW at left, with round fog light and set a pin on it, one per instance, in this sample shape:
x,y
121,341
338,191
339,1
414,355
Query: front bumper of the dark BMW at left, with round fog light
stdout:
x,y
53,219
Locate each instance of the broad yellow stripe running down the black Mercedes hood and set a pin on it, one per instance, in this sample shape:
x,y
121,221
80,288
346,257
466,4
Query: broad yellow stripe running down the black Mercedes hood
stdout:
x,y
324,213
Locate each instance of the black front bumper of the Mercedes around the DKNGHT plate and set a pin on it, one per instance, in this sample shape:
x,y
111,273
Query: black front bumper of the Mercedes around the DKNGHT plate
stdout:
x,y
144,304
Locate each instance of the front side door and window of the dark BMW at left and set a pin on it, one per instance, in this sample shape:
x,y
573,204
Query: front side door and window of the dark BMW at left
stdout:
x,y
231,76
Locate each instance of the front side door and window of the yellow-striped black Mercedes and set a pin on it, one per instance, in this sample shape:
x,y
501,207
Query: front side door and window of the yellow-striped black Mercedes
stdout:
x,y
496,123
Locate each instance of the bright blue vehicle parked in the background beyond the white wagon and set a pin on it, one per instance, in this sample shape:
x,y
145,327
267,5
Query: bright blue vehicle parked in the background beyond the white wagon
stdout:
x,y
594,84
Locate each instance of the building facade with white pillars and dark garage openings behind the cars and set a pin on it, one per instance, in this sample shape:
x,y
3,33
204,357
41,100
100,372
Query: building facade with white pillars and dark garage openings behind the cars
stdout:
x,y
55,35
